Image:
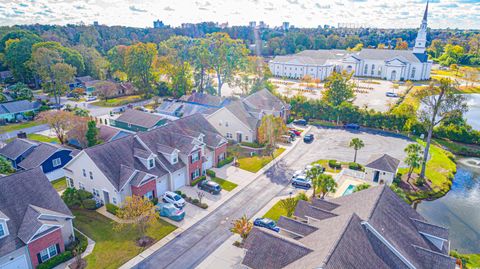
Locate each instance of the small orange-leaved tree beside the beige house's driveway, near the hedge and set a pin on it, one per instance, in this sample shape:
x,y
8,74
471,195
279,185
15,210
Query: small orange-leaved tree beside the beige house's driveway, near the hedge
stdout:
x,y
270,132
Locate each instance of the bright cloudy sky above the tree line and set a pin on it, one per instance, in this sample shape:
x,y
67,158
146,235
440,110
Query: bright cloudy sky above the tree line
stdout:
x,y
462,14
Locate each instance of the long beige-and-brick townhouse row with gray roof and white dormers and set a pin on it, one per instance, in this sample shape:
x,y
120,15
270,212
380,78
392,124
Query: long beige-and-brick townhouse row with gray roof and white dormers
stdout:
x,y
148,163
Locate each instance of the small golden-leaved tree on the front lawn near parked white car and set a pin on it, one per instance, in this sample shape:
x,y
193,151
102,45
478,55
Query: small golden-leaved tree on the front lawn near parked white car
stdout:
x,y
138,211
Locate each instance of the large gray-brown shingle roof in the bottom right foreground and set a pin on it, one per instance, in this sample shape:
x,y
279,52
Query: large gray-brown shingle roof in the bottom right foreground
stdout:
x,y
344,241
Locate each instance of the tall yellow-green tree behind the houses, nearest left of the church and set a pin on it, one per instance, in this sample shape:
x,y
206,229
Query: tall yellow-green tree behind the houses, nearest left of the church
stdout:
x,y
226,57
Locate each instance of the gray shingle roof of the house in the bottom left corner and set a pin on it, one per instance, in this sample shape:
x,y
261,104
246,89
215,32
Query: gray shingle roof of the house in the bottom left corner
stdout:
x,y
18,192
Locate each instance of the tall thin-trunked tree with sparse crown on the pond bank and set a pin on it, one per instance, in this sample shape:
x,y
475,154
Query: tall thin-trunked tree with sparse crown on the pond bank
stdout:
x,y
438,102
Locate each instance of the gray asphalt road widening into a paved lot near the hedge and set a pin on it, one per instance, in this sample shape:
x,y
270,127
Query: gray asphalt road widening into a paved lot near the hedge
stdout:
x,y
192,246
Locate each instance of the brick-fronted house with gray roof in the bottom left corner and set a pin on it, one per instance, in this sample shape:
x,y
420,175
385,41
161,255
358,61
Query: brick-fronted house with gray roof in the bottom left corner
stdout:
x,y
35,224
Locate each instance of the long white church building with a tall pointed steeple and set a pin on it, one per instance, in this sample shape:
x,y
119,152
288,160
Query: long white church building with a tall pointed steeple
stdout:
x,y
394,65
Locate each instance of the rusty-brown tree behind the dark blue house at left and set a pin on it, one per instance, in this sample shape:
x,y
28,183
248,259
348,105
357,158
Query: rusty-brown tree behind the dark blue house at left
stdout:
x,y
60,122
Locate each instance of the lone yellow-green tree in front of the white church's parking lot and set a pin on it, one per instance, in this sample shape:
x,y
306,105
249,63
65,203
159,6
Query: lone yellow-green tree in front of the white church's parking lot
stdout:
x,y
339,89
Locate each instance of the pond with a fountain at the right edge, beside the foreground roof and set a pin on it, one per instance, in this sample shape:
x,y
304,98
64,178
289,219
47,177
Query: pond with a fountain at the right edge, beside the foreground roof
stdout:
x,y
459,210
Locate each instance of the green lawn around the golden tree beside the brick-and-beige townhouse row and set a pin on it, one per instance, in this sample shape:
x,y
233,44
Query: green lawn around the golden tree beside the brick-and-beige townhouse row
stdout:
x,y
113,248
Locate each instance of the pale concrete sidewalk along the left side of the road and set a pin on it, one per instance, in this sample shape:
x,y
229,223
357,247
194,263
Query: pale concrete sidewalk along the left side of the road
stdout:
x,y
229,173
